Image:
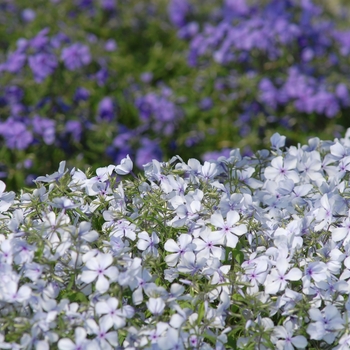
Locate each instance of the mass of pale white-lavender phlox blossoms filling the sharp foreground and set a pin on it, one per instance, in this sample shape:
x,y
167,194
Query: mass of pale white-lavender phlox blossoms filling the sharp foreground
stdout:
x,y
236,253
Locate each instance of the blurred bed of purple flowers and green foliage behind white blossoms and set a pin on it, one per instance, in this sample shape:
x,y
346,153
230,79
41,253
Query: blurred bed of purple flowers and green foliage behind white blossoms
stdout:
x,y
92,81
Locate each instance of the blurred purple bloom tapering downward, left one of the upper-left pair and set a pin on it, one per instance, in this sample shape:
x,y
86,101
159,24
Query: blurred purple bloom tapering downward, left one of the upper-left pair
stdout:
x,y
42,65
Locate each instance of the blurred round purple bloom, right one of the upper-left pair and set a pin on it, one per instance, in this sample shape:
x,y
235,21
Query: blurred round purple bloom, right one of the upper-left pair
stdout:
x,y
76,56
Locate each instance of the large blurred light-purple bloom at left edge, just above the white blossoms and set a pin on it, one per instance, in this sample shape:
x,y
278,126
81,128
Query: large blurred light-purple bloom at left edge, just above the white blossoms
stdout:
x,y
15,134
